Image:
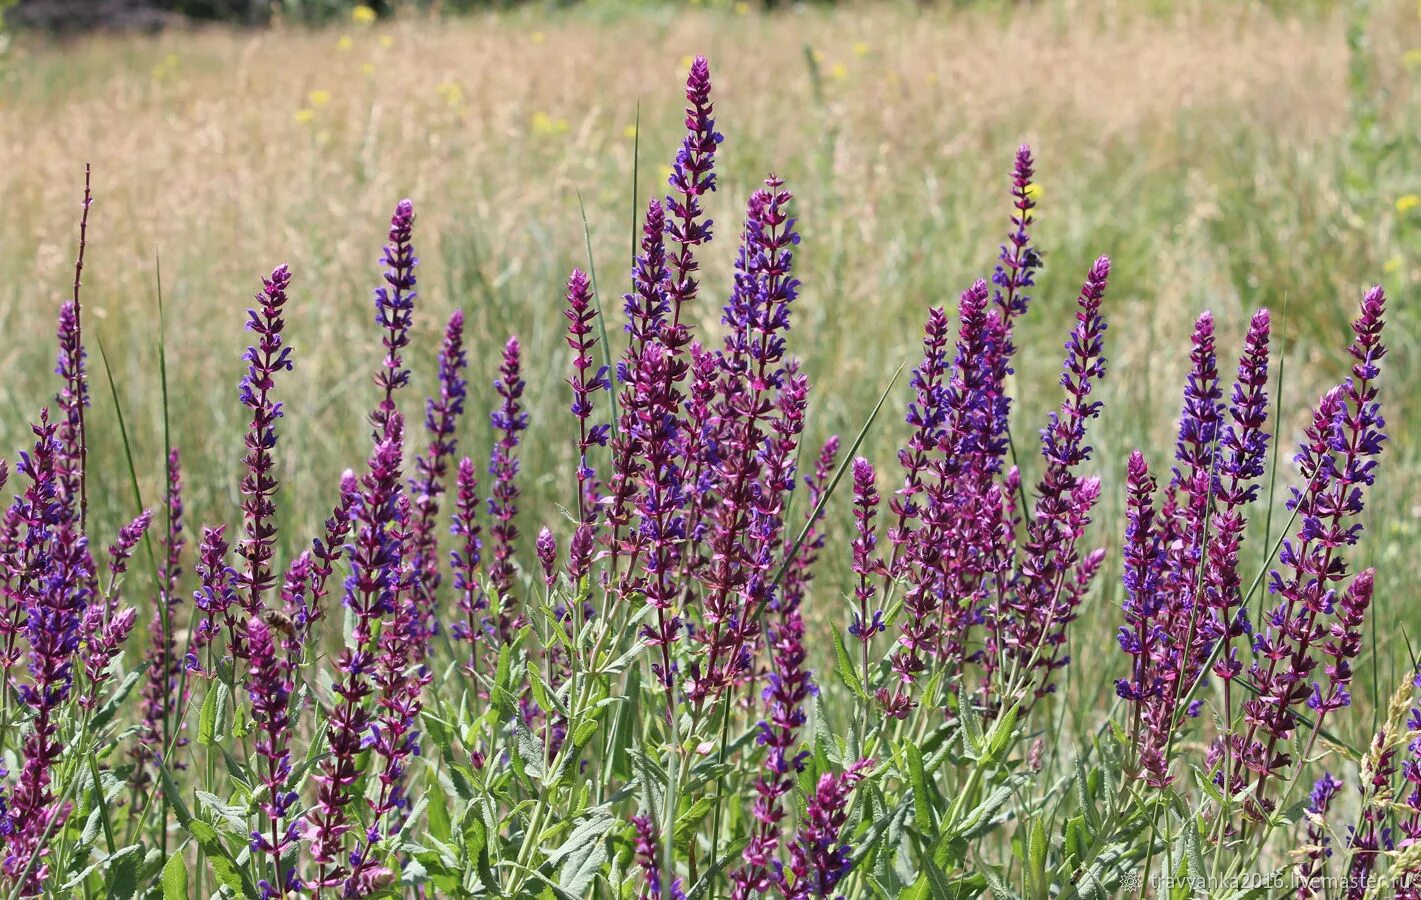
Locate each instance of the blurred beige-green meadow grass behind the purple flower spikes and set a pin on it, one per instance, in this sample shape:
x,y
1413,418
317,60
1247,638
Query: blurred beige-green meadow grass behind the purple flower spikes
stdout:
x,y
1227,156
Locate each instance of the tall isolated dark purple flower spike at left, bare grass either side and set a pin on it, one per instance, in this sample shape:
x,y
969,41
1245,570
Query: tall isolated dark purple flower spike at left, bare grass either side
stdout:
x,y
259,484
